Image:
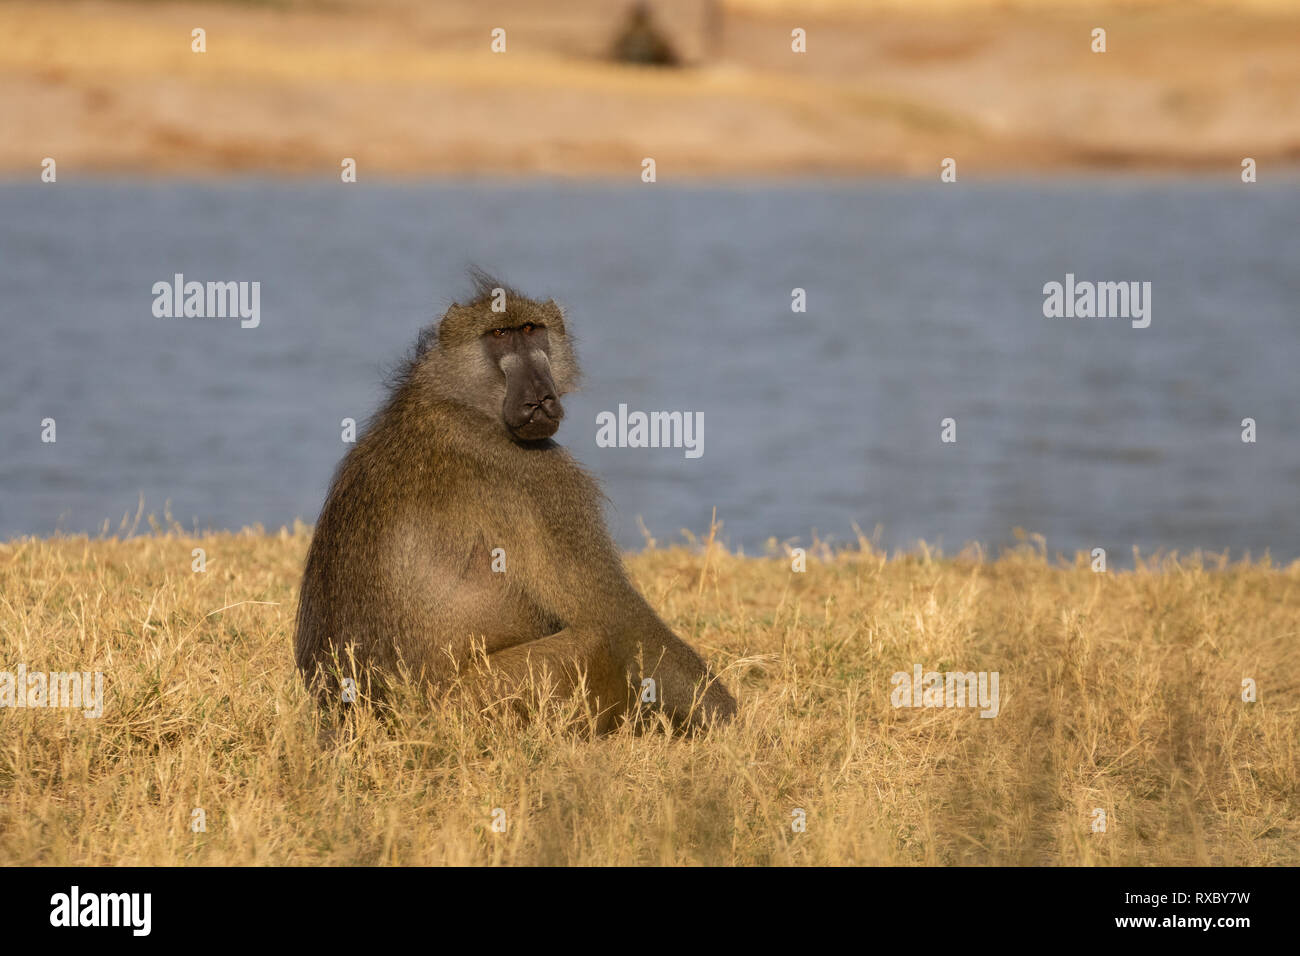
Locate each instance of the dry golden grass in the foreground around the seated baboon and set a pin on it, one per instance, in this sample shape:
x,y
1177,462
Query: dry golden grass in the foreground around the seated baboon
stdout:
x,y
1119,691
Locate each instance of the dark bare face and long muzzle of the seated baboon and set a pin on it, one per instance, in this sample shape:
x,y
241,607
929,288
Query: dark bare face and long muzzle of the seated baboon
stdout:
x,y
531,409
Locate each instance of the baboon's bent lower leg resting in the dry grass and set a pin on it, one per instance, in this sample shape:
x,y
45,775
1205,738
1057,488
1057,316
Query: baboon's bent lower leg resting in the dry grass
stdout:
x,y
561,664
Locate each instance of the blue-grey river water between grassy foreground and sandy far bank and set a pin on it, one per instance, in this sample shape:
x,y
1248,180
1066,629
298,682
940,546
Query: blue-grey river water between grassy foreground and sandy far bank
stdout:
x,y
925,302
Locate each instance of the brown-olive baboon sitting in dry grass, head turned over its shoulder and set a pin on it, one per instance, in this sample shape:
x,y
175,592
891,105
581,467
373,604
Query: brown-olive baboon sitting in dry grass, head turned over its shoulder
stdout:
x,y
457,478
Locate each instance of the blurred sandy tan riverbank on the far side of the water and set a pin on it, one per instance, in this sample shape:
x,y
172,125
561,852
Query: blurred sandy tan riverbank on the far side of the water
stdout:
x,y
413,89
